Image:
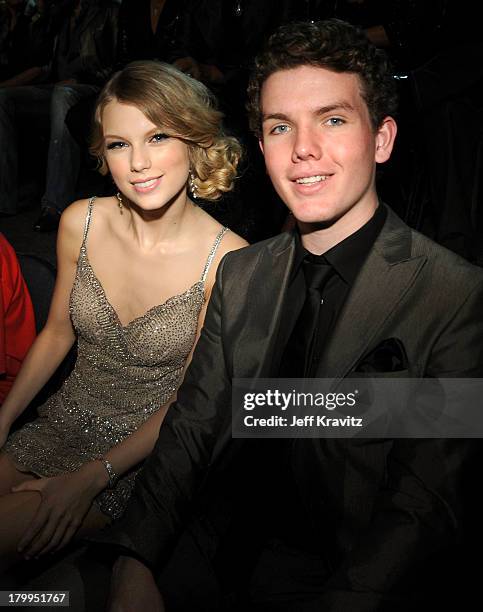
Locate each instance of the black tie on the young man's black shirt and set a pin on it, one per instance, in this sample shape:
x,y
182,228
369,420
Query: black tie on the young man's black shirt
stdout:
x,y
299,349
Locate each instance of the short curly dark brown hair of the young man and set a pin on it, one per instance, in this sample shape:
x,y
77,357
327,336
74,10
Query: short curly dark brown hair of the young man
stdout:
x,y
332,44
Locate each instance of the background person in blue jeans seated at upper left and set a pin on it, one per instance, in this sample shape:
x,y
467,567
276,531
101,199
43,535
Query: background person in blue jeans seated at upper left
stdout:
x,y
83,58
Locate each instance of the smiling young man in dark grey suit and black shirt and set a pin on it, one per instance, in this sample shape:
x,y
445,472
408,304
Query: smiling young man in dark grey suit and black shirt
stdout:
x,y
322,524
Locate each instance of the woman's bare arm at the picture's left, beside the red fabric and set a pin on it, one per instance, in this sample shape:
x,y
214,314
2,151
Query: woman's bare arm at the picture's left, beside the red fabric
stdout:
x,y
56,338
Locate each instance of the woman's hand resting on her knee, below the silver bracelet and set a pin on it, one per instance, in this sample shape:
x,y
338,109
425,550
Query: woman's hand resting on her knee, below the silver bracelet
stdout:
x,y
66,500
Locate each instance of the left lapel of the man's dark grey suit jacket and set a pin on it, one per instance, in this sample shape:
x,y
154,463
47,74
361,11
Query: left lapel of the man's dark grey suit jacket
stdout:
x,y
264,301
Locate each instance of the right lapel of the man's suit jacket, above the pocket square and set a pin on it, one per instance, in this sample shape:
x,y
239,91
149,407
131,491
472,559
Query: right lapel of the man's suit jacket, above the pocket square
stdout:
x,y
385,277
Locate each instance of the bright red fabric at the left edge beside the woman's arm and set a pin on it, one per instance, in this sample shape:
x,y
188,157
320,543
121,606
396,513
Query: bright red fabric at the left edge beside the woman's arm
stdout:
x,y
17,322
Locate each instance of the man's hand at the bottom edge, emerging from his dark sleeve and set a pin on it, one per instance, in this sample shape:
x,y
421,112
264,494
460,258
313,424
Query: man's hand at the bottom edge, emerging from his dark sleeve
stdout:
x,y
133,588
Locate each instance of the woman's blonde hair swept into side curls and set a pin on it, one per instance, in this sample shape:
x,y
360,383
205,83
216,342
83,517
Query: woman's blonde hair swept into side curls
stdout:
x,y
183,107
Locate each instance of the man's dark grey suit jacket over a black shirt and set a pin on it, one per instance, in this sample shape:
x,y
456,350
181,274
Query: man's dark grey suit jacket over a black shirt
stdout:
x,y
391,507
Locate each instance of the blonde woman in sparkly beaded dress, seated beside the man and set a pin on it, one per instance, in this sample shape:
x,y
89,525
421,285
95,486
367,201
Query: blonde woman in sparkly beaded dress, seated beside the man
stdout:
x,y
135,272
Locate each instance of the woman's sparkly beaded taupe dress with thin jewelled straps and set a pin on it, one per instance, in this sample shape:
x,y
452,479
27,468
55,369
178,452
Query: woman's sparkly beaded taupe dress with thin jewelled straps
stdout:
x,y
122,375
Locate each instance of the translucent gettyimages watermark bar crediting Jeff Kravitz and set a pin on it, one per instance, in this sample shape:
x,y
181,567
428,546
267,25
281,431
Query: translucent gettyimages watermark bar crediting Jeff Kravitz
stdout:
x,y
357,407
